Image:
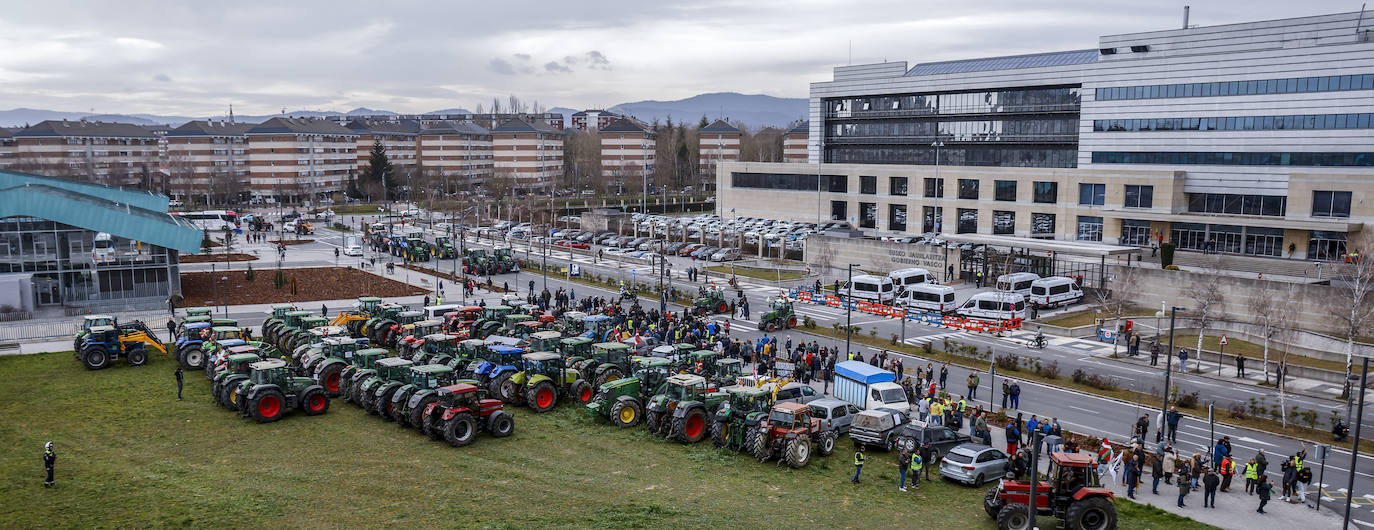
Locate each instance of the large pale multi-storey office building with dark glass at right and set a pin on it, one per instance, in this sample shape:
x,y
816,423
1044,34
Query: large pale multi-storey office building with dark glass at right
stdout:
x,y
1250,139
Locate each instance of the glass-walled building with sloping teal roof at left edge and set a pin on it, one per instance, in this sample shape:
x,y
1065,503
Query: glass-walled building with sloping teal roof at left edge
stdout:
x,y
80,246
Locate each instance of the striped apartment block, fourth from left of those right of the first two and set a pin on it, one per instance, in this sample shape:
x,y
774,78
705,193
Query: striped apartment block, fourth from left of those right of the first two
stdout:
x,y
530,153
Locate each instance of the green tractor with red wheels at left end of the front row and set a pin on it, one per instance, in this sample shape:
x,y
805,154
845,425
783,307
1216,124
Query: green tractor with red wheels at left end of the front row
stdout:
x,y
270,392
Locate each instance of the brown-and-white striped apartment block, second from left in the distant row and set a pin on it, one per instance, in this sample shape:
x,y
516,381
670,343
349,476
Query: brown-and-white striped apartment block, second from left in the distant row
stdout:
x,y
208,161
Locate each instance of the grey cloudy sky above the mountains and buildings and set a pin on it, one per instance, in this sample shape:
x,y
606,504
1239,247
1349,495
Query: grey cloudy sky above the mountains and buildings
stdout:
x,y
196,58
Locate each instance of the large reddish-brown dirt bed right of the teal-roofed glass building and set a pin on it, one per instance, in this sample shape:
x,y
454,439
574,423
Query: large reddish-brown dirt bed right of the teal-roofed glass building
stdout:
x,y
308,285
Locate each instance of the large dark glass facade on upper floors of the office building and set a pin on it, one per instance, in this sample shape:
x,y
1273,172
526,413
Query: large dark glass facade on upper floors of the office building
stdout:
x,y
1015,128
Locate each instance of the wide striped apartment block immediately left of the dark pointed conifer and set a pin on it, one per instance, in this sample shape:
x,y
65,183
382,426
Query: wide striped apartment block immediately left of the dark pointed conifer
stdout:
x,y
297,160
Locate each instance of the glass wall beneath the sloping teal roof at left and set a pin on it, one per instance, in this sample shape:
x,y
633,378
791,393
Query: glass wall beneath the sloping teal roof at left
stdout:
x,y
69,270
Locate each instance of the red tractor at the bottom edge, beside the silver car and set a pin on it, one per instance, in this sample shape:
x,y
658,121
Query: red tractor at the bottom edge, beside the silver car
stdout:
x,y
1072,495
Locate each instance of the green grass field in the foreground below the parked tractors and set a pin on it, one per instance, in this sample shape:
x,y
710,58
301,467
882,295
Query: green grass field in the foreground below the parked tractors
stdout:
x,y
133,457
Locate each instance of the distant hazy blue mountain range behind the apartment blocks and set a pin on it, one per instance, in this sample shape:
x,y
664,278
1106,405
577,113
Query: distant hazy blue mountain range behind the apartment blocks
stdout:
x,y
755,111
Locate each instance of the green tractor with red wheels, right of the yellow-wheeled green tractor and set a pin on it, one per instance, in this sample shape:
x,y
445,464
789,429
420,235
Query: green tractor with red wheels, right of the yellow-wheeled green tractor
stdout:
x,y
682,410
